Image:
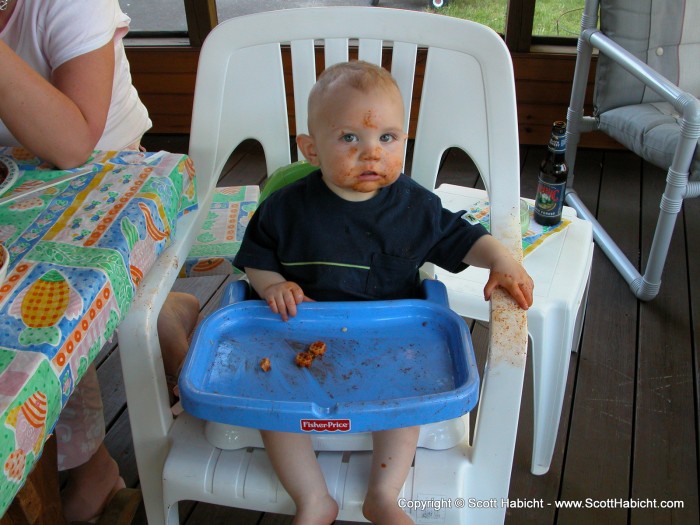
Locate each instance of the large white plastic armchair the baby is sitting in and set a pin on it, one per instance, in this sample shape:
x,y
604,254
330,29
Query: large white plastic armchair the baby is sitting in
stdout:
x,y
468,89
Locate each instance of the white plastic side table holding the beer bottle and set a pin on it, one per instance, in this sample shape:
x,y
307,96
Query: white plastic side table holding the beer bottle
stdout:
x,y
561,269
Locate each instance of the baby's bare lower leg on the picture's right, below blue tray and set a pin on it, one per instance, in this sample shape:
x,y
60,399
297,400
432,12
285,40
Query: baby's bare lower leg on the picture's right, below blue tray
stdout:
x,y
391,460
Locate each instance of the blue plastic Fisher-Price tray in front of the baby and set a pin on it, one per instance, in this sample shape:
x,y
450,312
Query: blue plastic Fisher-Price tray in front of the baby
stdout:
x,y
388,364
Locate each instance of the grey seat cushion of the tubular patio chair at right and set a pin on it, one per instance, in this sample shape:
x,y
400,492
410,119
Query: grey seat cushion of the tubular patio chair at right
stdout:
x,y
650,130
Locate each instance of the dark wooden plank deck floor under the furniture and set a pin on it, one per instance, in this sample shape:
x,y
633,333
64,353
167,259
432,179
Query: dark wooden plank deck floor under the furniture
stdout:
x,y
629,430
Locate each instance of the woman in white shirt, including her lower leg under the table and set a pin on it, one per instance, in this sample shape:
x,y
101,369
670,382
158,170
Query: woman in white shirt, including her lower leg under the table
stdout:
x,y
66,90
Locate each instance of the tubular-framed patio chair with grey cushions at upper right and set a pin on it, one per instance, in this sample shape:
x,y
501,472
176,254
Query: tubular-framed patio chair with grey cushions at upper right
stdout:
x,y
645,97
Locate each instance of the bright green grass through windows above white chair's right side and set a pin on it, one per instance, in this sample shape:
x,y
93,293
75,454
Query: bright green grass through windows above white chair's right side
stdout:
x,y
552,17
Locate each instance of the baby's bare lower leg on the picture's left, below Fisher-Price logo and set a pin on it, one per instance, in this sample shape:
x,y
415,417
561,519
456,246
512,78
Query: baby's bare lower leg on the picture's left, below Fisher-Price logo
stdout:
x,y
294,461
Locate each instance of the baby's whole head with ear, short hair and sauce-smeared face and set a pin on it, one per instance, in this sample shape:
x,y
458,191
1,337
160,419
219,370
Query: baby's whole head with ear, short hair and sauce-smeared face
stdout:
x,y
356,136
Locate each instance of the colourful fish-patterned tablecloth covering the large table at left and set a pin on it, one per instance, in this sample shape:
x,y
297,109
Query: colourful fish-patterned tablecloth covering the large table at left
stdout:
x,y
78,251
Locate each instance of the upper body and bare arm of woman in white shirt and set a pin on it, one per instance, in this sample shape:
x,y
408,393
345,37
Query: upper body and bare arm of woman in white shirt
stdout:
x,y
66,87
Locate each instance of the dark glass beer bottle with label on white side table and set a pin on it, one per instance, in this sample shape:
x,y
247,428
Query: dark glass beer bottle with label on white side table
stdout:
x,y
552,179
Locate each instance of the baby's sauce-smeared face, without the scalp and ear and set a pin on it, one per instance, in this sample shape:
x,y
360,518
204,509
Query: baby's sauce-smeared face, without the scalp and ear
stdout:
x,y
359,141
